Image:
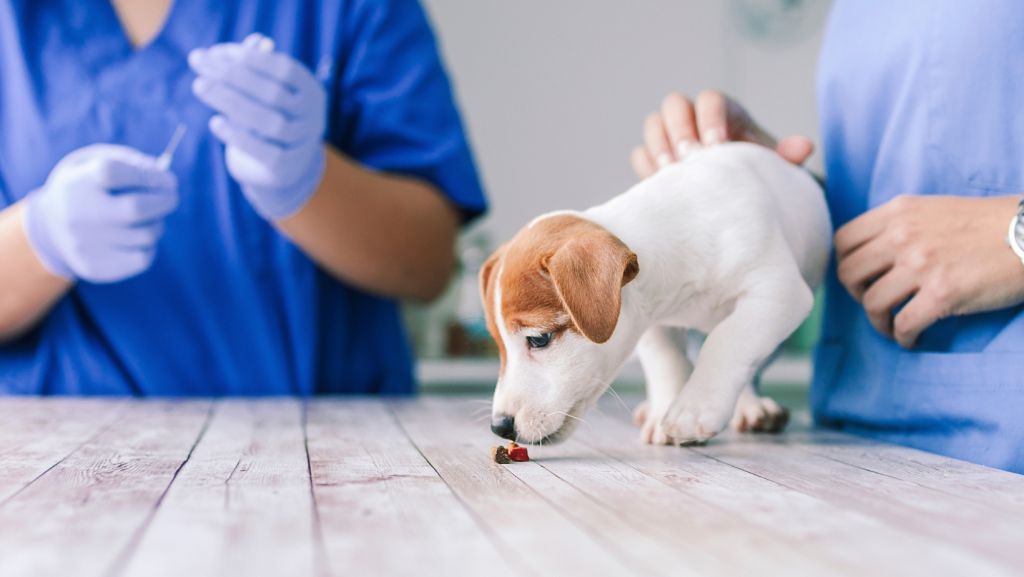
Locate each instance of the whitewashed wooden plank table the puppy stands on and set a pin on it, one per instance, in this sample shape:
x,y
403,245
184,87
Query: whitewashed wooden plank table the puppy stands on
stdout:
x,y
367,487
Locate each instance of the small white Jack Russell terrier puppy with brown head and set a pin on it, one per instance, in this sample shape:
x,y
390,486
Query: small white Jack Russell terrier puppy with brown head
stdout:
x,y
732,241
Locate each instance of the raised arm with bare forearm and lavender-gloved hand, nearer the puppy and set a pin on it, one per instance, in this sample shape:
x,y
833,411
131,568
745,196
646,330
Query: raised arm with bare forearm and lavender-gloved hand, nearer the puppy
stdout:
x,y
385,233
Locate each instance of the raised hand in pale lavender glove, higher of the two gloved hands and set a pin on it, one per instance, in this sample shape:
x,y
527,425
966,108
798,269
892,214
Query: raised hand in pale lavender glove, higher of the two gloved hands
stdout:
x,y
273,118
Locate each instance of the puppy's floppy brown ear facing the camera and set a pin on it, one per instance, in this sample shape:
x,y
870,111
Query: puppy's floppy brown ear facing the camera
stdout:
x,y
589,272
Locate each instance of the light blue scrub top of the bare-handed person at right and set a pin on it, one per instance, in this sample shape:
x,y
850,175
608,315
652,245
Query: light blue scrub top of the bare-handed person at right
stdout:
x,y
923,98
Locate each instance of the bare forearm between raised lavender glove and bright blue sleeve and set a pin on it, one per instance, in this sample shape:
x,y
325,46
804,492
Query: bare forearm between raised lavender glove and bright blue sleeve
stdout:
x,y
379,232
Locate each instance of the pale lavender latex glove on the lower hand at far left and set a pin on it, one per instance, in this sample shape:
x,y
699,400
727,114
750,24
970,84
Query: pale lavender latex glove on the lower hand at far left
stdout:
x,y
101,214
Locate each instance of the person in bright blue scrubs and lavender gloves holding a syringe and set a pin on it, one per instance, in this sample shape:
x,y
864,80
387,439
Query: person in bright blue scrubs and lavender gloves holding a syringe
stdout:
x,y
324,175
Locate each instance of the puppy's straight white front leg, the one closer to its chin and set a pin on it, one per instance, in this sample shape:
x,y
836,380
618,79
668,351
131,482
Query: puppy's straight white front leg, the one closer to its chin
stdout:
x,y
666,369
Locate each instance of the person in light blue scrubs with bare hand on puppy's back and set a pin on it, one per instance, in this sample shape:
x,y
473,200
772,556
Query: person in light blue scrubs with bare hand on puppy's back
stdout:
x,y
923,133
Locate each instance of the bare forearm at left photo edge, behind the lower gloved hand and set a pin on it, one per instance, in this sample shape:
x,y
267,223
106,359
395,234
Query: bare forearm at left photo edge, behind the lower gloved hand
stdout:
x,y
27,291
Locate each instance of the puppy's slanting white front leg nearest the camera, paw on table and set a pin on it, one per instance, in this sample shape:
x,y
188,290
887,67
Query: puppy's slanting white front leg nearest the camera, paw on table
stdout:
x,y
734,352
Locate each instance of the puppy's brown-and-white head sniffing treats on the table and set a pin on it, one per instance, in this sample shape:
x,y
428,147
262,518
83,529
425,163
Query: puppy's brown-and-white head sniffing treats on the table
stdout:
x,y
552,297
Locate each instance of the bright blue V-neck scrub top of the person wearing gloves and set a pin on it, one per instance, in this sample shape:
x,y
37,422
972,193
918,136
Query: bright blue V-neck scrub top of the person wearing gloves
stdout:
x,y
230,307
